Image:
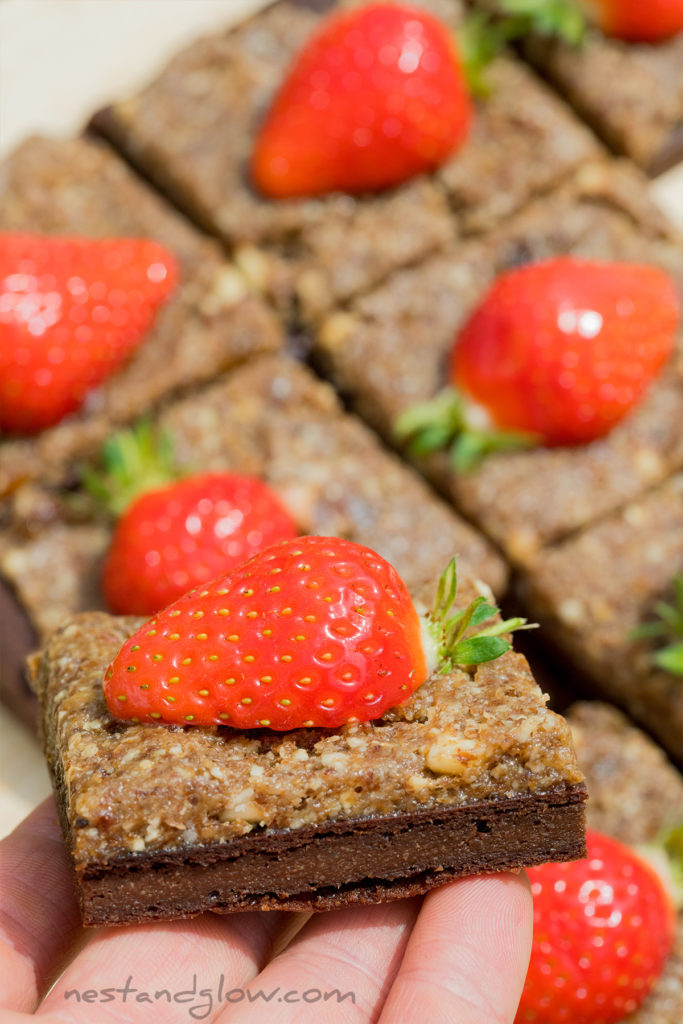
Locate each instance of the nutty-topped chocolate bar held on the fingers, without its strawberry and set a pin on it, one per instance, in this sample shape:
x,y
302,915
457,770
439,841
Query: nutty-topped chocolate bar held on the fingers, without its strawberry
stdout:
x,y
474,774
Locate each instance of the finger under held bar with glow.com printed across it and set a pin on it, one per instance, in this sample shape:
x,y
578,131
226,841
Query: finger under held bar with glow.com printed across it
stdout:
x,y
339,968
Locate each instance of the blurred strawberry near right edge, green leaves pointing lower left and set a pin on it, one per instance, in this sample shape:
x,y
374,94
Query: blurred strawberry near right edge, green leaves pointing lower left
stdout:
x,y
559,353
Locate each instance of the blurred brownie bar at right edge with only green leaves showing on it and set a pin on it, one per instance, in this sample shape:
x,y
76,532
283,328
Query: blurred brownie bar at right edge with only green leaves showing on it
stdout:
x,y
591,591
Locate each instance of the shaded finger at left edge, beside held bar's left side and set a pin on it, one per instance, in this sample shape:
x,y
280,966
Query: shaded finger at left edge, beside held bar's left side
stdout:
x,y
39,918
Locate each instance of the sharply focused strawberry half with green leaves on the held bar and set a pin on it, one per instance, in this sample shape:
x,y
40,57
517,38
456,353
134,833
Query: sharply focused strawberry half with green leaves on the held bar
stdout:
x,y
312,632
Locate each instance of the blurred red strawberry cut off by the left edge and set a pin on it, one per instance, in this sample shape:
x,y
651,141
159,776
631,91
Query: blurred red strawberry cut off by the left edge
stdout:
x,y
72,311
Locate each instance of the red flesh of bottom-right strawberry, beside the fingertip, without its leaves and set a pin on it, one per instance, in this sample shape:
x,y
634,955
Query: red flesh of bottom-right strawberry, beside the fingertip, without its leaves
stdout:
x,y
603,931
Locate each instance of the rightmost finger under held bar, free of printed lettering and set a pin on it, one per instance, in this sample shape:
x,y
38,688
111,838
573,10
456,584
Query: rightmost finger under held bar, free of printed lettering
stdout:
x,y
468,955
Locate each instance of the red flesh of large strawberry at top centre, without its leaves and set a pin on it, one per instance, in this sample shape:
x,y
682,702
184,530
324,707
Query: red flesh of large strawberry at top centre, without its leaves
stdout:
x,y
375,98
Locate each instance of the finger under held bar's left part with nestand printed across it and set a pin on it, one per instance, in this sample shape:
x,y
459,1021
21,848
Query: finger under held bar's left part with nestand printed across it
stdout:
x,y
170,971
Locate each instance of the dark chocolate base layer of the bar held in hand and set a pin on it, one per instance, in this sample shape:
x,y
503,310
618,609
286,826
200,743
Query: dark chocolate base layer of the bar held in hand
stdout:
x,y
353,863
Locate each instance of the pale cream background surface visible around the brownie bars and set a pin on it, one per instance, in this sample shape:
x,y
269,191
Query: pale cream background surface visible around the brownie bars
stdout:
x,y
60,60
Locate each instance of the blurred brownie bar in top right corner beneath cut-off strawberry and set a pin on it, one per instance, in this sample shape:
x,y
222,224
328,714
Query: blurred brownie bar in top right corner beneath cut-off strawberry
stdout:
x,y
642,113
